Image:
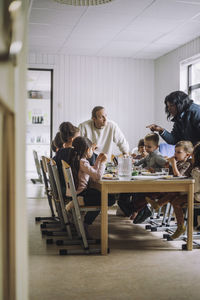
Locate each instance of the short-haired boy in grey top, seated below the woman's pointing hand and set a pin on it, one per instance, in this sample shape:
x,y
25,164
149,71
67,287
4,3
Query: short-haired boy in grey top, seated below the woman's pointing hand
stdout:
x,y
153,162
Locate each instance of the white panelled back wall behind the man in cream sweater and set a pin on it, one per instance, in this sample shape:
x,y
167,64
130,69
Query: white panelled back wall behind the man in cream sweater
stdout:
x,y
124,86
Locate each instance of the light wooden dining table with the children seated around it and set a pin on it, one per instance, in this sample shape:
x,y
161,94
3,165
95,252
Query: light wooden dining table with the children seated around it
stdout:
x,y
143,186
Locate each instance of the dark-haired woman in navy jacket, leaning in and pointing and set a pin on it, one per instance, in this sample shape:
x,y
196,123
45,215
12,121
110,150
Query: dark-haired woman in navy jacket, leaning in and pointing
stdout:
x,y
185,114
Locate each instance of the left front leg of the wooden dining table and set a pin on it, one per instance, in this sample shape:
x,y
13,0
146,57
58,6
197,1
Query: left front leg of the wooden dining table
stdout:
x,y
104,221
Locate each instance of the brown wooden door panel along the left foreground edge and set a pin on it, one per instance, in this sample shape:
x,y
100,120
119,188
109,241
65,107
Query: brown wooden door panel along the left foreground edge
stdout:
x,y
8,202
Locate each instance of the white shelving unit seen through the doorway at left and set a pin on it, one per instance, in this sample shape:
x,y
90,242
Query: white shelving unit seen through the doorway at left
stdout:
x,y
38,129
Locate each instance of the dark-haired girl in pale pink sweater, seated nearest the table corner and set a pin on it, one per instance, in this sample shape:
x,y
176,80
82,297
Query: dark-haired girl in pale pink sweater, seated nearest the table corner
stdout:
x,y
82,172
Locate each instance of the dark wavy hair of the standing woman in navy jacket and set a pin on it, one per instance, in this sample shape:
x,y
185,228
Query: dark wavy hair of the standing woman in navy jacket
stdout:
x,y
180,99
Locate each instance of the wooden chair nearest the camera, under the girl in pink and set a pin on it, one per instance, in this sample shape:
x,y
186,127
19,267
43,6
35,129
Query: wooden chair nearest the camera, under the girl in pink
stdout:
x,y
77,209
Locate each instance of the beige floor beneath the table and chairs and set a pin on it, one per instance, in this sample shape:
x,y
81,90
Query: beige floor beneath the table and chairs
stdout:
x,y
140,265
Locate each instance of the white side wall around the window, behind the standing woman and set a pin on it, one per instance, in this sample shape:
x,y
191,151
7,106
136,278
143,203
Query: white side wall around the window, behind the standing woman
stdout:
x,y
167,76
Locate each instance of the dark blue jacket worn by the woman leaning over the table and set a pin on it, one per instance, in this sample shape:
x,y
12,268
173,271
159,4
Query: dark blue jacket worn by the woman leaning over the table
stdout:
x,y
186,126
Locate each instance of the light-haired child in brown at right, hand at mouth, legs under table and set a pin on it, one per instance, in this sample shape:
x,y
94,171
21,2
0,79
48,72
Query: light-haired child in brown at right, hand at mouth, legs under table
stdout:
x,y
181,165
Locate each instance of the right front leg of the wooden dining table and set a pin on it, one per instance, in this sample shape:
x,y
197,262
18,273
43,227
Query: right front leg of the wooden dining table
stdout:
x,y
190,217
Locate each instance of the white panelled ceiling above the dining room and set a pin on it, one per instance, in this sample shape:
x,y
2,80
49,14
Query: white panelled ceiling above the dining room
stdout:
x,y
144,29
